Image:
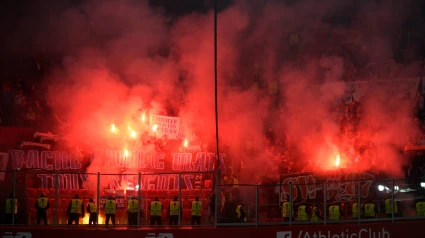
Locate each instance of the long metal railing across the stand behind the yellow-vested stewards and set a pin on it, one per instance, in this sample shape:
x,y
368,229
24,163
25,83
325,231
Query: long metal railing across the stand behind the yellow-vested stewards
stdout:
x,y
236,205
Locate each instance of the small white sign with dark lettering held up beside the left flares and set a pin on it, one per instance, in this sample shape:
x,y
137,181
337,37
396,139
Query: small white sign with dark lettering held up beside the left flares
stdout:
x,y
163,125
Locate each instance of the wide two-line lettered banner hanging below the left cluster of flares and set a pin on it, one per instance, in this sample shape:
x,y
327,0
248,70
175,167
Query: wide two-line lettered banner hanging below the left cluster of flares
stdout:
x,y
159,171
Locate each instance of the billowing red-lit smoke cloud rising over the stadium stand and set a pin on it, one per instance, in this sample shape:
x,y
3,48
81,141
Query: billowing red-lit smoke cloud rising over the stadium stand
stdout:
x,y
123,59
